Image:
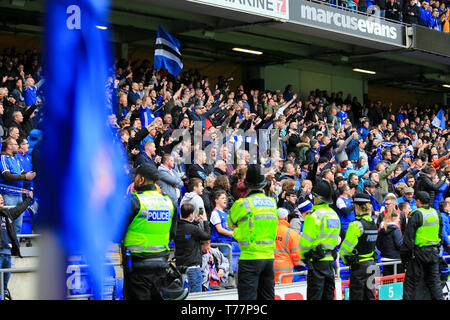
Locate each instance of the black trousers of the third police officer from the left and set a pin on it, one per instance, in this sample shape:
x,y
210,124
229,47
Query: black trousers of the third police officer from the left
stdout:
x,y
320,280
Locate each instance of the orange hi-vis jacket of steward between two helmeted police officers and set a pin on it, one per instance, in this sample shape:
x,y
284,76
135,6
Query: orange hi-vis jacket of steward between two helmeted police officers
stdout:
x,y
287,251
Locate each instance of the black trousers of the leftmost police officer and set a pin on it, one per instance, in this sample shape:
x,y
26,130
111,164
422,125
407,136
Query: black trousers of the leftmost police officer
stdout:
x,y
145,281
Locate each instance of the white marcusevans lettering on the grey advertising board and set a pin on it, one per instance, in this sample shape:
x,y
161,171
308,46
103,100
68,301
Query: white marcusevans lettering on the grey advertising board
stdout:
x,y
363,25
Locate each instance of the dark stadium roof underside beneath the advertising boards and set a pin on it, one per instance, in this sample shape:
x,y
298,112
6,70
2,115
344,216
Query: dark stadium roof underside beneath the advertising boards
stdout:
x,y
208,33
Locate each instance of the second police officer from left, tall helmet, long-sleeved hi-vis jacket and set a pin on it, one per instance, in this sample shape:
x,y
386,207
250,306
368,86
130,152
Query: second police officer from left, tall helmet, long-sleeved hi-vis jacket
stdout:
x,y
254,222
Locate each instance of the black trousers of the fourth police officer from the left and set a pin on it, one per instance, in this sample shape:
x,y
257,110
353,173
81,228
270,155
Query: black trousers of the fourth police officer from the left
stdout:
x,y
362,281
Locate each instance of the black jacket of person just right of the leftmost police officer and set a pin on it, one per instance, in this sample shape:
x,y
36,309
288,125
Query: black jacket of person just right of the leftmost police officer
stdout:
x,y
188,251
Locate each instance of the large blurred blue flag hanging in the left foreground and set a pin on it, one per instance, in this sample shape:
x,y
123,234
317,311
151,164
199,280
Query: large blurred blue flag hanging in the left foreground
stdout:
x,y
81,179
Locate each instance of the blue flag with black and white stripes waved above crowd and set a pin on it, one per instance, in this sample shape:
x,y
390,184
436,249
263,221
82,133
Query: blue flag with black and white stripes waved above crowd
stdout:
x,y
167,53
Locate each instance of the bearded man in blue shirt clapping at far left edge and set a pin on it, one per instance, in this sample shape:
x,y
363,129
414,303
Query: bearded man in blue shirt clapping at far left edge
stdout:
x,y
12,177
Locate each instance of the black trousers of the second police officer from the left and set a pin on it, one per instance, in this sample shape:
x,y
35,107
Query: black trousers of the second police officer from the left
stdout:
x,y
256,280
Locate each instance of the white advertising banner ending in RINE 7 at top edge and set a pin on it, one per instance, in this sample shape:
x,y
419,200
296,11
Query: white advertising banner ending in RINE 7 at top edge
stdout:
x,y
273,8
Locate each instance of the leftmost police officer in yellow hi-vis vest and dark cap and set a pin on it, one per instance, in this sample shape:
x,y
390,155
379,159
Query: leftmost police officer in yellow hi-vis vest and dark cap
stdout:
x,y
145,248
